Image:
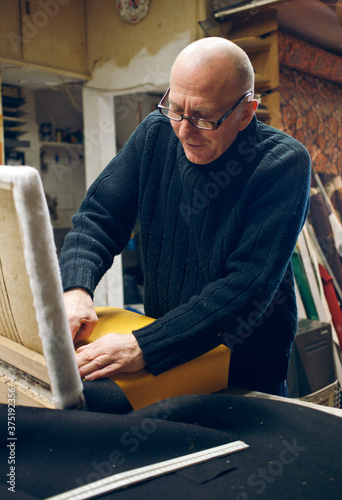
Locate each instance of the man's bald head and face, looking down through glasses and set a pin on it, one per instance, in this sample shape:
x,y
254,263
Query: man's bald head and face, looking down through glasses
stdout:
x,y
210,80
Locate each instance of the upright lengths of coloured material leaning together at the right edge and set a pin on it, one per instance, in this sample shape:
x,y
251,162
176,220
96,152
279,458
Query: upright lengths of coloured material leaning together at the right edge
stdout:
x,y
317,262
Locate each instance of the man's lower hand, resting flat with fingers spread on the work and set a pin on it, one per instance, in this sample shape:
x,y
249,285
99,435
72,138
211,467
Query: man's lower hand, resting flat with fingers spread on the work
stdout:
x,y
114,353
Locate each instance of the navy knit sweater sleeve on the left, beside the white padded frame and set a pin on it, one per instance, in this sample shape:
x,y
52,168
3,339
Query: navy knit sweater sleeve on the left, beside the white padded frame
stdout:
x,y
103,225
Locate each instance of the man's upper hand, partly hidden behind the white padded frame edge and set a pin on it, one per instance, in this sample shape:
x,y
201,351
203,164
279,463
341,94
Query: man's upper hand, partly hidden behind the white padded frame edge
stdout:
x,y
80,313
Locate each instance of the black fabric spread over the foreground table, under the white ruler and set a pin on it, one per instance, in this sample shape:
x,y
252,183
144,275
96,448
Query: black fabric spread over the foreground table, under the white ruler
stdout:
x,y
295,451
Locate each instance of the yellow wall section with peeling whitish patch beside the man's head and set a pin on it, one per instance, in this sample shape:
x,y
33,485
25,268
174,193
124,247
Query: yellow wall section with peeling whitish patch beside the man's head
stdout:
x,y
125,57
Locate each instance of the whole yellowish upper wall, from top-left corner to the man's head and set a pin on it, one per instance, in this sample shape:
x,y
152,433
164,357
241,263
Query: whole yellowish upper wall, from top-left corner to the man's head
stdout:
x,y
80,37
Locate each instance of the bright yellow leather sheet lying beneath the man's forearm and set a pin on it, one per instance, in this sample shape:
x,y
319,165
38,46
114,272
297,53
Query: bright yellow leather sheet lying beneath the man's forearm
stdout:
x,y
203,375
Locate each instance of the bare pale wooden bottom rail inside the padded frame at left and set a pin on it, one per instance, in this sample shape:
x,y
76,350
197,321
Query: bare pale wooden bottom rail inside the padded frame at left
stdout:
x,y
25,359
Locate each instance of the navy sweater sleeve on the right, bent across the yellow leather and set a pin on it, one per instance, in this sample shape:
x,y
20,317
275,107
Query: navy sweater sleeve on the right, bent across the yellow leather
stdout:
x,y
277,203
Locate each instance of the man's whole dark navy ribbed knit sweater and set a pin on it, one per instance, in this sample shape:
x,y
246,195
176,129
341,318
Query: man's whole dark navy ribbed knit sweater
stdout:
x,y
216,239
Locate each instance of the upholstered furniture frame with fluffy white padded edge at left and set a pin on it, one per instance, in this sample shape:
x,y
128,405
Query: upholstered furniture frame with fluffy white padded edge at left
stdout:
x,y
35,341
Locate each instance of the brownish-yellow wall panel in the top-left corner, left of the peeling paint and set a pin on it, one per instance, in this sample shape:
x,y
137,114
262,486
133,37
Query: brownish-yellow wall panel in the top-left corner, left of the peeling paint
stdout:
x,y
45,34
